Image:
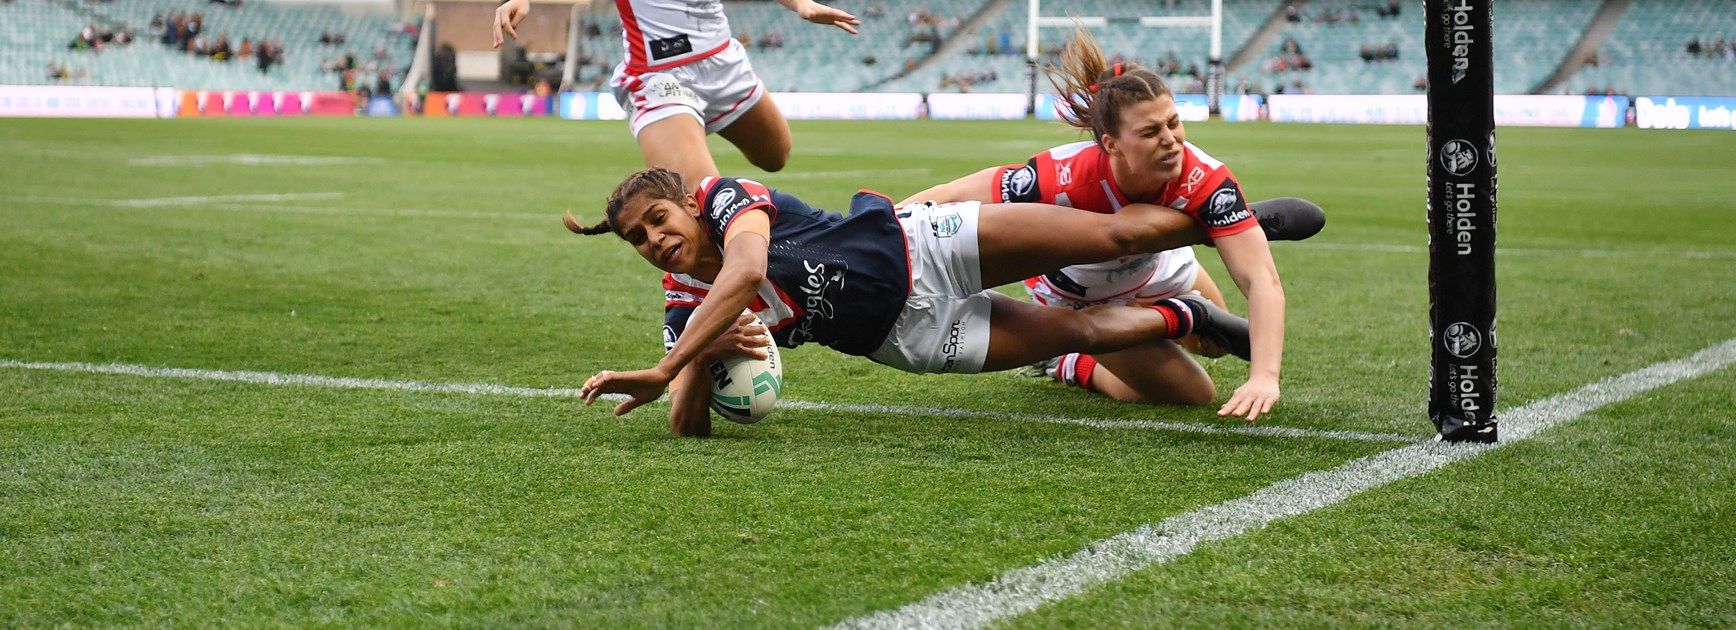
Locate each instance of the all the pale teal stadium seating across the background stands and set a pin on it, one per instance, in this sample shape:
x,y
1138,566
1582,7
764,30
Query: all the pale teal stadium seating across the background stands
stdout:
x,y
1645,55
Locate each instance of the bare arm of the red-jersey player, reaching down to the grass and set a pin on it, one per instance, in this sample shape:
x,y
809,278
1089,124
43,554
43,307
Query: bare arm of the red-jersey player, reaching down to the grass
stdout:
x,y
1249,261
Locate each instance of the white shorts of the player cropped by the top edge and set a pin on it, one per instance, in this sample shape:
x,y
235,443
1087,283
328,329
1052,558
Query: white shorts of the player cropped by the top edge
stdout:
x,y
716,91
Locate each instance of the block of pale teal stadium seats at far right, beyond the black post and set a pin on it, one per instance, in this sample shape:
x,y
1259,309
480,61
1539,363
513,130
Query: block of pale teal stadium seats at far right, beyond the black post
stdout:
x,y
1647,53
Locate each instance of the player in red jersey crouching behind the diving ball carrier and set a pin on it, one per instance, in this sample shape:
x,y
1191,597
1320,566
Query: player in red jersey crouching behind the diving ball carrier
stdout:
x,y
1140,155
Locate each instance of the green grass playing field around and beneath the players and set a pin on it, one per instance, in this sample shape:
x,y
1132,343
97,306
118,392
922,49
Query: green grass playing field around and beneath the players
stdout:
x,y
431,251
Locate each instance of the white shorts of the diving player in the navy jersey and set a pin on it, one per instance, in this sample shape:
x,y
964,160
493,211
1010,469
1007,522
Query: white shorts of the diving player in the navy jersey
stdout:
x,y
945,324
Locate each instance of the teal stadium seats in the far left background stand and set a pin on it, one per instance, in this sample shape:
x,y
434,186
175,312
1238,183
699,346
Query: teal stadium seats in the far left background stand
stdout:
x,y
37,32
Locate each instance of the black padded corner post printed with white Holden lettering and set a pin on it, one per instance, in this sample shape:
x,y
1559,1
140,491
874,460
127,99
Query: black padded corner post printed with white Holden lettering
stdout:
x,y
1461,220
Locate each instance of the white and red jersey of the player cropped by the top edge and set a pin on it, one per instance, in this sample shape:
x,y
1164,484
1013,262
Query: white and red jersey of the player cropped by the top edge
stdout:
x,y
667,34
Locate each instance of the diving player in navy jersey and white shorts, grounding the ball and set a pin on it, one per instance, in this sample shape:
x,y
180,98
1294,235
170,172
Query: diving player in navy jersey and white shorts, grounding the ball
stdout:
x,y
904,287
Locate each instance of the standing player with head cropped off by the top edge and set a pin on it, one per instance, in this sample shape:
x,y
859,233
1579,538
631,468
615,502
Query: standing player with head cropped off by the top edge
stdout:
x,y
687,77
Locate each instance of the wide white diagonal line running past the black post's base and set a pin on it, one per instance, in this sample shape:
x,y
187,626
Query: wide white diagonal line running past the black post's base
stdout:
x,y
1023,591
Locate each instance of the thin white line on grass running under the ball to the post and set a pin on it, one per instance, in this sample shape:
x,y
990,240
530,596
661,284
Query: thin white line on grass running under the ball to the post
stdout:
x,y
423,386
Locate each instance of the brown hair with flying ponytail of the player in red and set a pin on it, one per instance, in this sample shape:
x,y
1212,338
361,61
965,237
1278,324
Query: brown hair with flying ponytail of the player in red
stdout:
x,y
1093,91
